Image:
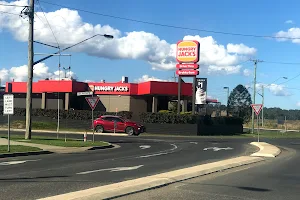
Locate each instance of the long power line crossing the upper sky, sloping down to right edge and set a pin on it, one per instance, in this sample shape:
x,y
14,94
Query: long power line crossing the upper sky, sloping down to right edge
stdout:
x,y
170,26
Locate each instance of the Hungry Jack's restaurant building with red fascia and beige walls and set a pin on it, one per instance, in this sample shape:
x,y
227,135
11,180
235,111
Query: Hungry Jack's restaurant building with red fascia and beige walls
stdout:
x,y
150,96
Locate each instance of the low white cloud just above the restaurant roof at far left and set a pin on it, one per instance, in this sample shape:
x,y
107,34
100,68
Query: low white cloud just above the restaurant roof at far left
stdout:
x,y
41,71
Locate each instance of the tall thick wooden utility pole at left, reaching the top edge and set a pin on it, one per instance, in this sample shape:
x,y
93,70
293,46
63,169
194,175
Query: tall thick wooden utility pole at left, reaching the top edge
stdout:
x,y
30,14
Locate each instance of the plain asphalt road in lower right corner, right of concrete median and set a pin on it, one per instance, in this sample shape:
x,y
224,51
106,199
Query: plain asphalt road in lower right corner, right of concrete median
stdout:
x,y
274,179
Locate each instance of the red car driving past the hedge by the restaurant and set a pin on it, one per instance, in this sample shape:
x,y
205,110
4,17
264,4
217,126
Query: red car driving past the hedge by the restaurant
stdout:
x,y
113,123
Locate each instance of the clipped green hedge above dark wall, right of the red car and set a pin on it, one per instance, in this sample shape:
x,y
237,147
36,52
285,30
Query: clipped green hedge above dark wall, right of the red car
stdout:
x,y
172,118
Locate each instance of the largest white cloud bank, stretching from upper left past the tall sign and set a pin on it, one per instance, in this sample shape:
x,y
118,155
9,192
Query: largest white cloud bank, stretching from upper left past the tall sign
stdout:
x,y
69,28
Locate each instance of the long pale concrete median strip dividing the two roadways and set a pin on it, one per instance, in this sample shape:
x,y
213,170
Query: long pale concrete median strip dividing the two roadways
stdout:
x,y
163,179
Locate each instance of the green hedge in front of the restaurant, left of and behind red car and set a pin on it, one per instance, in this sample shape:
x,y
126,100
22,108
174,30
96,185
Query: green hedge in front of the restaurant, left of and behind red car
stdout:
x,y
71,114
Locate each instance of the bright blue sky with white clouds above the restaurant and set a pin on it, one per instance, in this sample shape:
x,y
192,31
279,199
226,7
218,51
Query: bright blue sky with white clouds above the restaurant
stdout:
x,y
146,51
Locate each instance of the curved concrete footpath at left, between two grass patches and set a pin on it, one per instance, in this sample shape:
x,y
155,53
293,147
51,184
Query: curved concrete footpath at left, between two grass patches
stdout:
x,y
50,148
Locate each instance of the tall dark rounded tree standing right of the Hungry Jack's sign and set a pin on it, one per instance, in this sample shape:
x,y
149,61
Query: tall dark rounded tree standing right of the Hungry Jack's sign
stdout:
x,y
239,103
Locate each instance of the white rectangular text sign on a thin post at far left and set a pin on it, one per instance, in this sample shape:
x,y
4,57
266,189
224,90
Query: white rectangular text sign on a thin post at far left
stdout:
x,y
8,109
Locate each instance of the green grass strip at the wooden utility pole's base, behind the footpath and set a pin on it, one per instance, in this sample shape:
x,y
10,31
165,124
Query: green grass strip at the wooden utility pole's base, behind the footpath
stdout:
x,y
57,142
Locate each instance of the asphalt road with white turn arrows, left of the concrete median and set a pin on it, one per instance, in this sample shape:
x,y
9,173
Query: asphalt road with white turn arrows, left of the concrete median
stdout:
x,y
47,175
